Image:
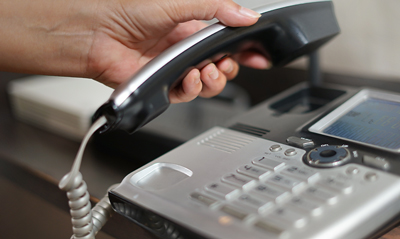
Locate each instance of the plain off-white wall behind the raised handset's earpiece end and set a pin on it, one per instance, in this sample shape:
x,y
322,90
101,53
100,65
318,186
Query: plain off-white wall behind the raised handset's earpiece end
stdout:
x,y
369,43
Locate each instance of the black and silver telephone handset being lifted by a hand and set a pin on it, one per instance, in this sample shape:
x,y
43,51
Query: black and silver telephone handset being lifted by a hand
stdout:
x,y
286,30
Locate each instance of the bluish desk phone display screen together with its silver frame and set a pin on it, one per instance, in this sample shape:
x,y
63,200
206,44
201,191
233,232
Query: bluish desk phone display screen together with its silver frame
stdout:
x,y
370,118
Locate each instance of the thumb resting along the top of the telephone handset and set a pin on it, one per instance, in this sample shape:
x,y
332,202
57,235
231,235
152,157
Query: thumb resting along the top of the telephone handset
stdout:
x,y
226,11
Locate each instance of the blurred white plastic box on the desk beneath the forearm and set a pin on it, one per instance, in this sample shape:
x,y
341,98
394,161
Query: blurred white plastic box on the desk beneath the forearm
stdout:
x,y
64,105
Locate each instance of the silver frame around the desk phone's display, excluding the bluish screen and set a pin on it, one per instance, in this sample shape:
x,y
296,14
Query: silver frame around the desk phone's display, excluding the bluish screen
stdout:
x,y
346,107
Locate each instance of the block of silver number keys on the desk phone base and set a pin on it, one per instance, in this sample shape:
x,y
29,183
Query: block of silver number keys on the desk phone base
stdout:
x,y
275,196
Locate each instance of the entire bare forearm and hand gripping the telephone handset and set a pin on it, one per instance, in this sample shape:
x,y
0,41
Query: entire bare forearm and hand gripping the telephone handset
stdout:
x,y
109,40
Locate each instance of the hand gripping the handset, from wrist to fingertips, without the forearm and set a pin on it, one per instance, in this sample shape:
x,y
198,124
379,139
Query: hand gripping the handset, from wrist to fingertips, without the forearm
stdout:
x,y
133,38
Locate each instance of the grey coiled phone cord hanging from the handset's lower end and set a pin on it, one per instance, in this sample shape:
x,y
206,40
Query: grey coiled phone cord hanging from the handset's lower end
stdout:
x,y
86,222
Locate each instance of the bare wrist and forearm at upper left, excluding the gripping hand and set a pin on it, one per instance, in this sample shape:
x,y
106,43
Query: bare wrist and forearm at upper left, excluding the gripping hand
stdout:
x,y
46,36
